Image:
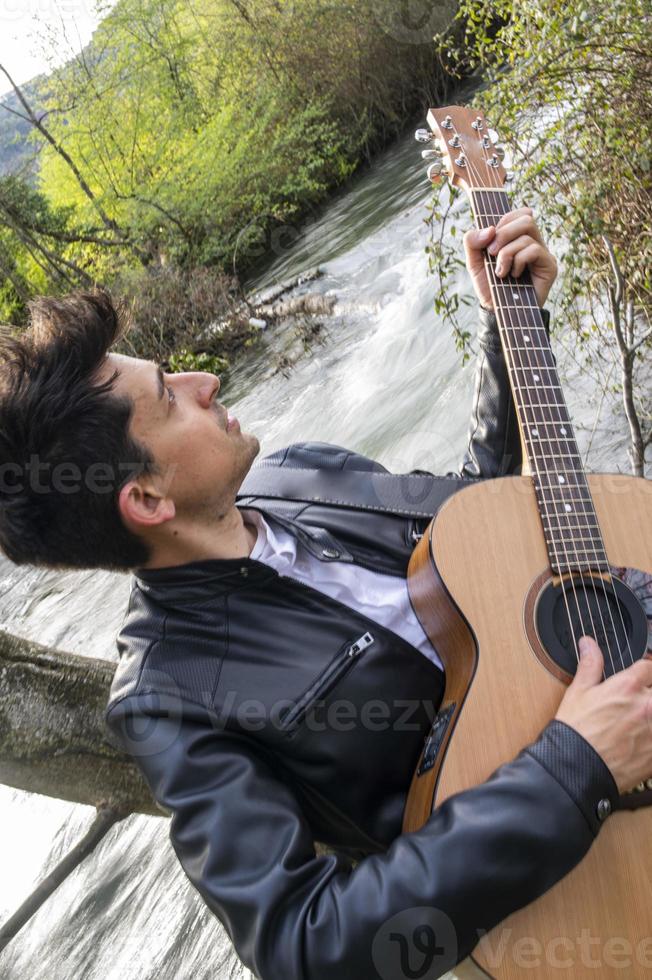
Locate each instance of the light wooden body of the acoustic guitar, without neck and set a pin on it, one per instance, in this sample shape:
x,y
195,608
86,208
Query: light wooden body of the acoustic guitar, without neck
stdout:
x,y
475,580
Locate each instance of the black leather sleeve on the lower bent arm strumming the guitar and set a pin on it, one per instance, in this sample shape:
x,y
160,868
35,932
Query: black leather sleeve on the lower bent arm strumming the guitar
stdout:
x,y
243,842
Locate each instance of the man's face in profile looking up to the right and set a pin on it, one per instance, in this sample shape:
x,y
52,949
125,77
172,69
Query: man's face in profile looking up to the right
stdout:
x,y
201,454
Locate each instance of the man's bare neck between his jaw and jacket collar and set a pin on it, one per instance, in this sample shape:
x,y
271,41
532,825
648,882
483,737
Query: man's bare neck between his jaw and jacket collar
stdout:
x,y
226,537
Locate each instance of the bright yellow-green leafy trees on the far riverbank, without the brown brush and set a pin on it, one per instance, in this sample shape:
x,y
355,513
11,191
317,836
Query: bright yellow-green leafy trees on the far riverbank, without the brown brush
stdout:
x,y
188,120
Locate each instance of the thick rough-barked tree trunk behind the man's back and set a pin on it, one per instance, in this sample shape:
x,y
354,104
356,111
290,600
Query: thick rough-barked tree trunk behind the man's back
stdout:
x,y
53,737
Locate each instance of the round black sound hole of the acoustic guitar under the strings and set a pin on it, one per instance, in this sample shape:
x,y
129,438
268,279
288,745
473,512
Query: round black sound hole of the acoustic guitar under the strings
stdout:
x,y
616,611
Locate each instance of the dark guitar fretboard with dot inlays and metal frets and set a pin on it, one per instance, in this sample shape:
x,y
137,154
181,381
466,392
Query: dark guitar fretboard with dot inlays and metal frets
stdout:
x,y
570,523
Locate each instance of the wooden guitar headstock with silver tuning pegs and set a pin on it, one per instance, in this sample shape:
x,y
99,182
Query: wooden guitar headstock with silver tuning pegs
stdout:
x,y
463,148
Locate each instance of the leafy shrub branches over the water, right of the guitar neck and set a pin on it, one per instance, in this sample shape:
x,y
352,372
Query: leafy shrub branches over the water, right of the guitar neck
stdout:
x,y
569,87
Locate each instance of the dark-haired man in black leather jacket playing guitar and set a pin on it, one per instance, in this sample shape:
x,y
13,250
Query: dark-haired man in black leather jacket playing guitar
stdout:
x,y
274,686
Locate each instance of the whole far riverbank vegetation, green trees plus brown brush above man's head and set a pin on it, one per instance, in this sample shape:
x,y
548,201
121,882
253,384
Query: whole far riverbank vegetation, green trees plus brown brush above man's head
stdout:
x,y
190,135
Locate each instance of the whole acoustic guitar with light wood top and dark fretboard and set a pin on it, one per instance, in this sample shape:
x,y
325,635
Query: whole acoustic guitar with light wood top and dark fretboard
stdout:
x,y
509,574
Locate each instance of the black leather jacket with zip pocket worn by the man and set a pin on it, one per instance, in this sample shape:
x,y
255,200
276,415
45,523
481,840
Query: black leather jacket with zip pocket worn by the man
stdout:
x,y
265,715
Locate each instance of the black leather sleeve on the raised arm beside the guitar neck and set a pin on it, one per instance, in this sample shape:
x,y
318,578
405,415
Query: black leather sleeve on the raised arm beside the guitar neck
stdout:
x,y
494,447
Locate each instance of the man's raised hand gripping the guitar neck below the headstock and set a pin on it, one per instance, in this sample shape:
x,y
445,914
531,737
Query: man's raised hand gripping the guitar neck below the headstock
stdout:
x,y
516,243
